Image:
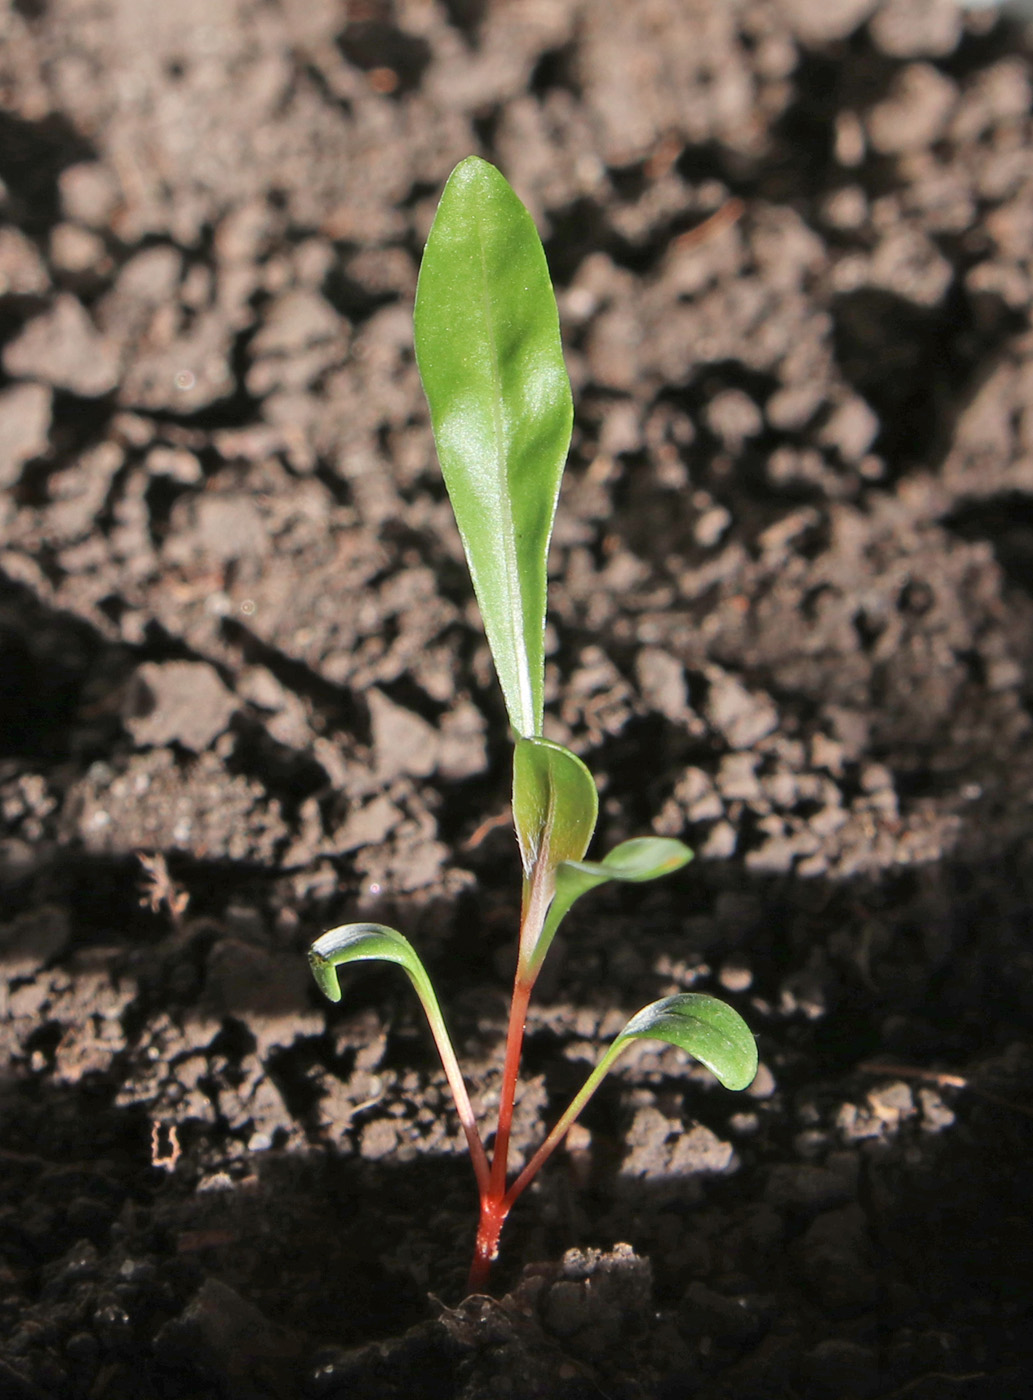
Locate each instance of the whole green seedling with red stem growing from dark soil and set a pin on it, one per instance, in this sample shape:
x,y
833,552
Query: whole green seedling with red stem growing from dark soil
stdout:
x,y
488,346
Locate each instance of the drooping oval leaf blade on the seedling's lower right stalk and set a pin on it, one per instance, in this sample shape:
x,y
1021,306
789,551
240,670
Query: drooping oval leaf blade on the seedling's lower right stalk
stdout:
x,y
709,1030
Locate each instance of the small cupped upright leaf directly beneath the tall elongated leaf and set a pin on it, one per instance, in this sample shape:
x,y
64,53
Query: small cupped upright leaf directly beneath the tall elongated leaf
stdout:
x,y
555,804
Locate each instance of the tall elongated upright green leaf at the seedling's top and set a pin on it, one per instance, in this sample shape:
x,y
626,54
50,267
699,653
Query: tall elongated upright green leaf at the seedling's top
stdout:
x,y
488,345
